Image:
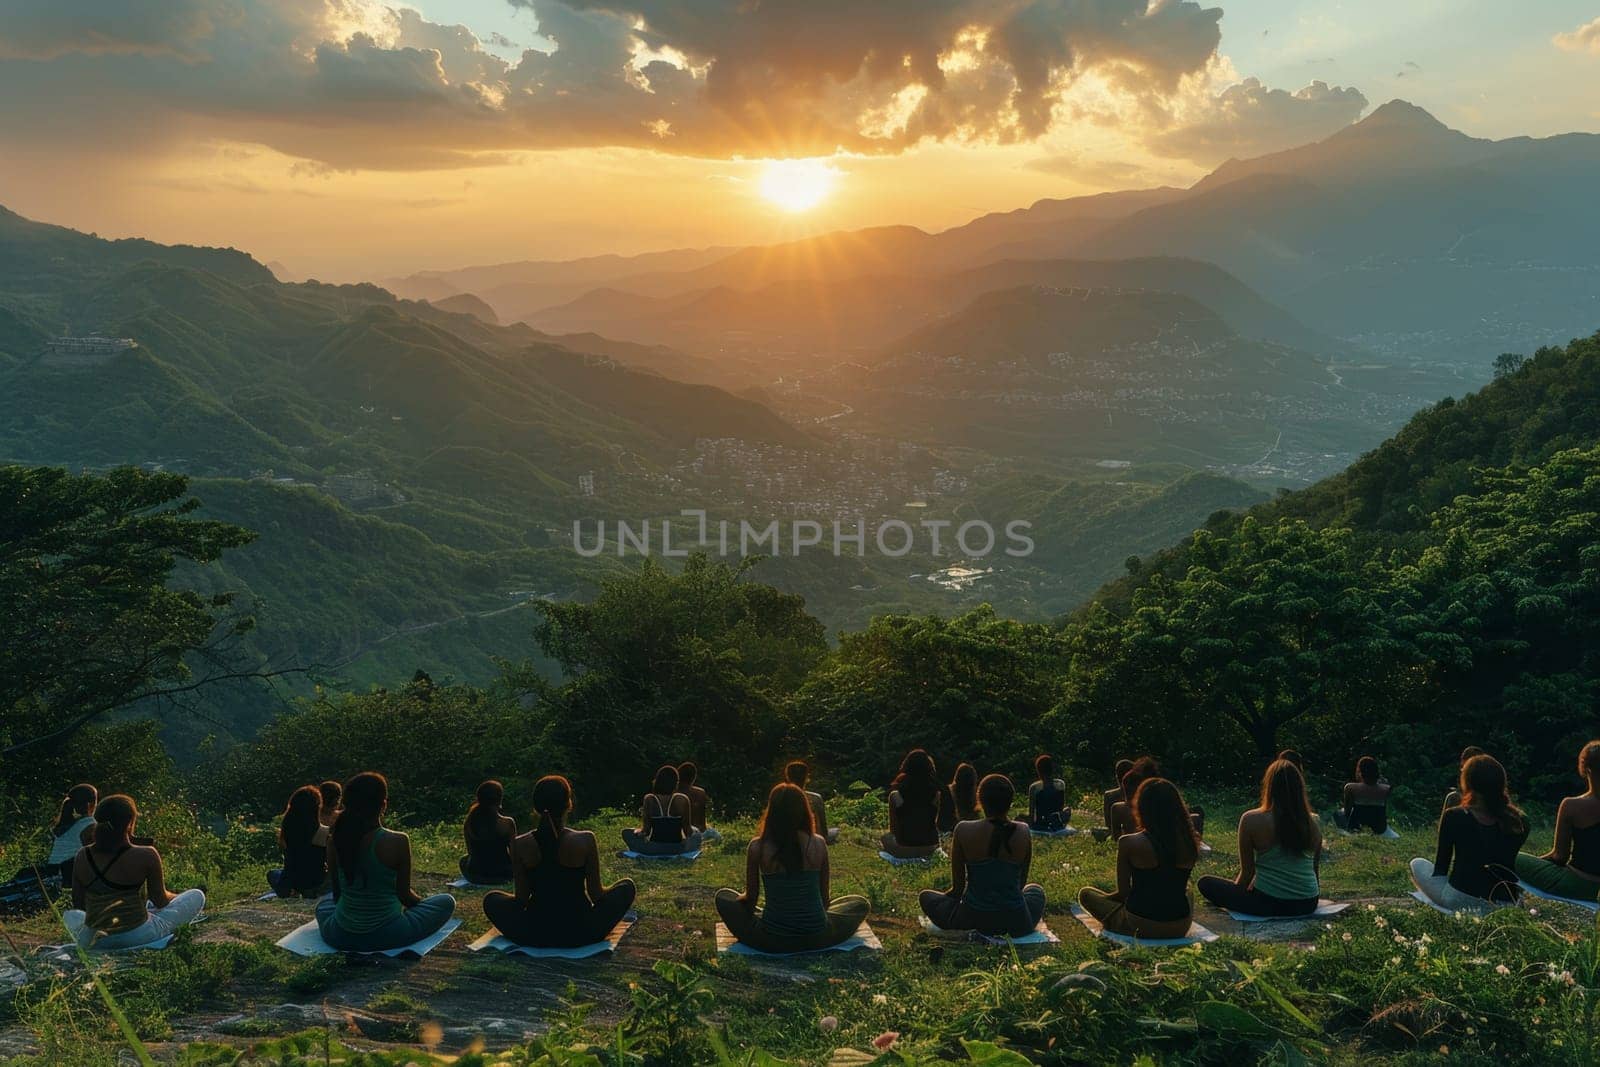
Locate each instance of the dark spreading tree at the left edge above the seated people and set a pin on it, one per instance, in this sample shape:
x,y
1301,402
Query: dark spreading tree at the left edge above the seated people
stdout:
x,y
90,623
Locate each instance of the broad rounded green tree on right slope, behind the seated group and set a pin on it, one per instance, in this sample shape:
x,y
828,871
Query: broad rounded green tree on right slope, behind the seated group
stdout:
x,y
1274,625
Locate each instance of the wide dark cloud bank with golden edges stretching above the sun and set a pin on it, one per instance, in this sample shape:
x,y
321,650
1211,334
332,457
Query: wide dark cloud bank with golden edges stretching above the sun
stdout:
x,y
353,84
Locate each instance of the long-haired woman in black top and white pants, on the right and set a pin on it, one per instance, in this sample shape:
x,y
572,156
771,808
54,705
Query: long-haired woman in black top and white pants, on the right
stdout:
x,y
1479,841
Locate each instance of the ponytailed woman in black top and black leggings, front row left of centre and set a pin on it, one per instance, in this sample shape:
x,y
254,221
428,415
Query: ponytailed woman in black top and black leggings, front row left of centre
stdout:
x,y
561,901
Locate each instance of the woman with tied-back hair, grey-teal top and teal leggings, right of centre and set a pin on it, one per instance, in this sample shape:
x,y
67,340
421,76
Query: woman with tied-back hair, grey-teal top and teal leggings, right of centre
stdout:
x,y
990,860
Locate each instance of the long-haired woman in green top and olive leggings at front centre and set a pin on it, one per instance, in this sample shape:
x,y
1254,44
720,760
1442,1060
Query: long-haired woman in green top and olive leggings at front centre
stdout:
x,y
788,861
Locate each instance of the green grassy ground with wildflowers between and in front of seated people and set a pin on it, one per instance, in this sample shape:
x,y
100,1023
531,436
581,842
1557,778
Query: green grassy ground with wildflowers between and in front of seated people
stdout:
x,y
1386,981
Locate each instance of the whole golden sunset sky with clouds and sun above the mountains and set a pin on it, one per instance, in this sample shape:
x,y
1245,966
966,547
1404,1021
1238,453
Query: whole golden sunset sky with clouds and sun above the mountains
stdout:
x,y
350,138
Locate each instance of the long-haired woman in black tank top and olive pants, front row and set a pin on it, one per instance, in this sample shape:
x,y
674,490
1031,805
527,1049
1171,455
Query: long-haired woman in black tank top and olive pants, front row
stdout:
x,y
1154,865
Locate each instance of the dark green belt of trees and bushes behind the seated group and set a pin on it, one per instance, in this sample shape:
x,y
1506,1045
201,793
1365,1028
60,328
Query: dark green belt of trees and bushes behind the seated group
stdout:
x,y
1442,591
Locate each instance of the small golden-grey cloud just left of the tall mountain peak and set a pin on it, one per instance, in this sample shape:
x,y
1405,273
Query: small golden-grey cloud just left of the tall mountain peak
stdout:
x,y
1250,119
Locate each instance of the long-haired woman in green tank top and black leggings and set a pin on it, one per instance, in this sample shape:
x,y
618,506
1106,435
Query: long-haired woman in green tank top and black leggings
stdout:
x,y
1279,852
